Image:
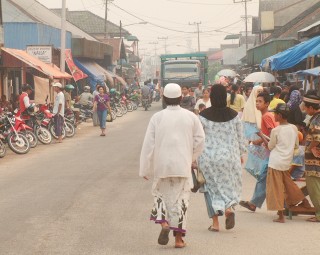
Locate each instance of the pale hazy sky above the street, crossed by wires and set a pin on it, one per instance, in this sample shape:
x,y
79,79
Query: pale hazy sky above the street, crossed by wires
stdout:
x,y
175,16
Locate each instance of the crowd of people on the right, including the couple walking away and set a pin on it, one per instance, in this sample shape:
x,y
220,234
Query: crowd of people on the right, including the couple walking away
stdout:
x,y
277,127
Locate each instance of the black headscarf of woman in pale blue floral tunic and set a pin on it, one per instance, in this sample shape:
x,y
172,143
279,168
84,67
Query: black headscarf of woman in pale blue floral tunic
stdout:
x,y
218,112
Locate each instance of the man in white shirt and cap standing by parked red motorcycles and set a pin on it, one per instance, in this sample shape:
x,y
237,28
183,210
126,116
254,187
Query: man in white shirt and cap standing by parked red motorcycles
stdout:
x,y
58,110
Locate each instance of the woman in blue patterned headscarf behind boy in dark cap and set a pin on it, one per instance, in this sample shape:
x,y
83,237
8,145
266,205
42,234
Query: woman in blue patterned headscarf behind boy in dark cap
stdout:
x,y
295,117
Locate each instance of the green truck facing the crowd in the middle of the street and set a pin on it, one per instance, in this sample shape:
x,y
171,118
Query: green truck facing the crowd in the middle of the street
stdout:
x,y
184,69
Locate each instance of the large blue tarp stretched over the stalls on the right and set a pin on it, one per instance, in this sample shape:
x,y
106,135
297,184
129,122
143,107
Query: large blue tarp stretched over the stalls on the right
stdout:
x,y
293,56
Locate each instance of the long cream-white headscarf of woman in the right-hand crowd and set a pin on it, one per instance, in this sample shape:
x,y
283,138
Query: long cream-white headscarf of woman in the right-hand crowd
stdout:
x,y
250,112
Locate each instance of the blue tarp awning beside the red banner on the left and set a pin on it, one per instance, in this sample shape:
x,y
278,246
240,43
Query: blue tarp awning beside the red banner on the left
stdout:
x,y
95,75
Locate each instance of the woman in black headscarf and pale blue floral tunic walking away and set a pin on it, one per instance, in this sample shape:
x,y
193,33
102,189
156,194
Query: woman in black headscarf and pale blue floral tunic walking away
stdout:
x,y
221,159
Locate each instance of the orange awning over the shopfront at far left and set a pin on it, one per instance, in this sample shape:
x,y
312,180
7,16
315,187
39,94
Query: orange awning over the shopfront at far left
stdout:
x,y
52,72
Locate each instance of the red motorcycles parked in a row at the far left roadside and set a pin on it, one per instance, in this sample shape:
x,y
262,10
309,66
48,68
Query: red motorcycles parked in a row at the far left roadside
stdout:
x,y
26,131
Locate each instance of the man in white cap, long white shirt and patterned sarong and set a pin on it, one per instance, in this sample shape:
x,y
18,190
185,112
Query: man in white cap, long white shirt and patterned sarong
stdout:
x,y
173,133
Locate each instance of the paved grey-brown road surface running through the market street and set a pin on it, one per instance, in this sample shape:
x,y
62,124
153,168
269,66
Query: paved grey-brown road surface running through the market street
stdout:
x,y
85,197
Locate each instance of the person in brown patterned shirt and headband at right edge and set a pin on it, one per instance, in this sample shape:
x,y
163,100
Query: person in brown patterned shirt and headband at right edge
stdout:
x,y
312,157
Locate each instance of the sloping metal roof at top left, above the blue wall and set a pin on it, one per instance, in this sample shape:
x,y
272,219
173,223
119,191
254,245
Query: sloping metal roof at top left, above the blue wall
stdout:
x,y
31,9
